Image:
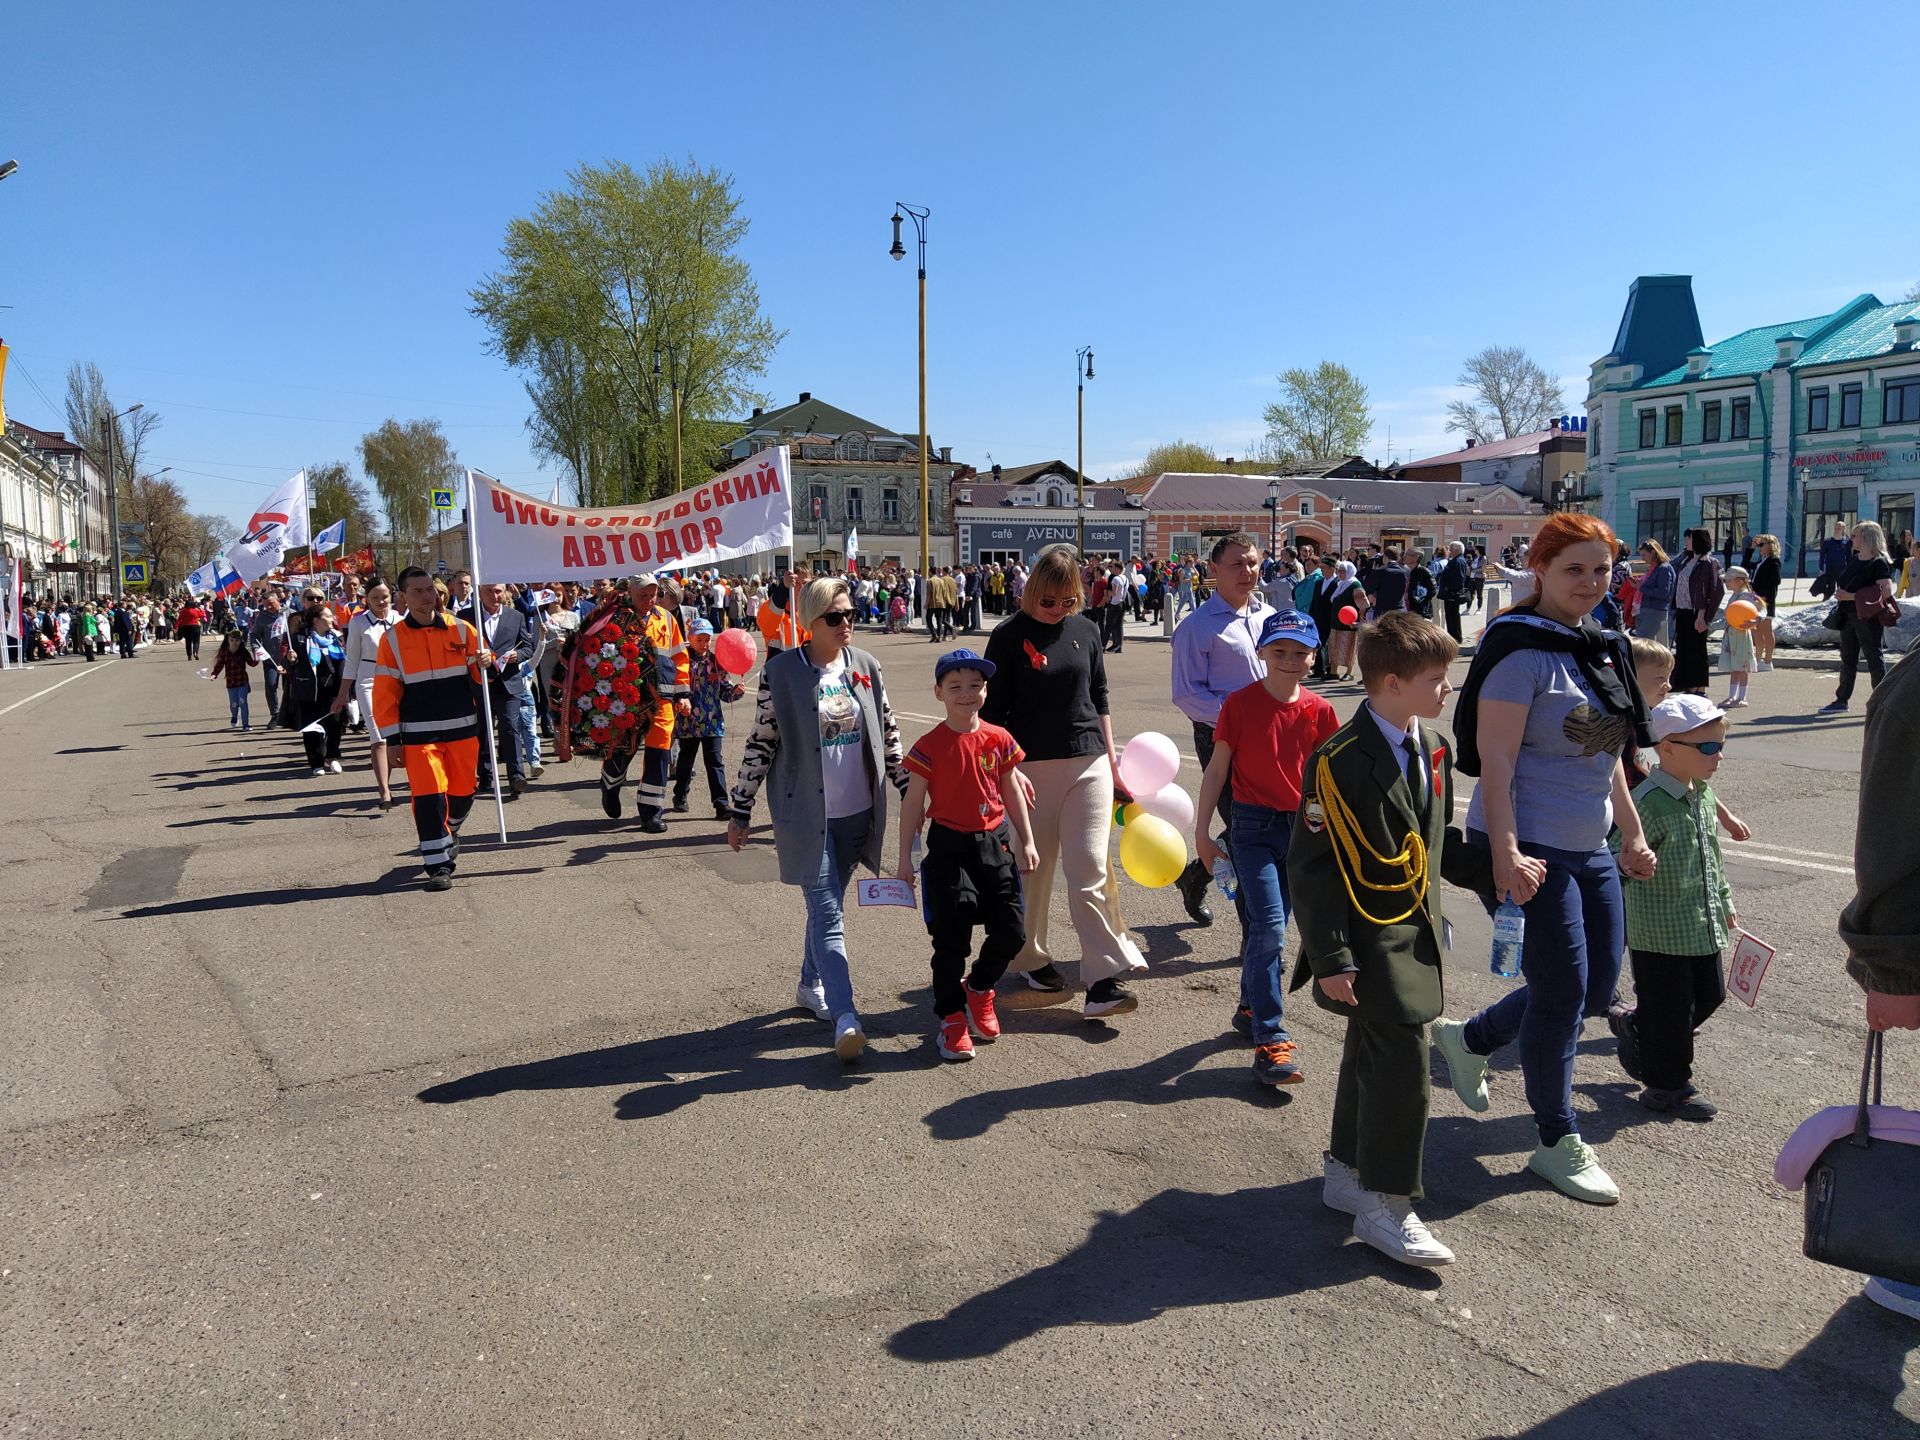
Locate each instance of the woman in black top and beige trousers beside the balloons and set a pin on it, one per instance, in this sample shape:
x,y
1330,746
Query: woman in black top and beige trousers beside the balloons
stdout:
x,y
1049,690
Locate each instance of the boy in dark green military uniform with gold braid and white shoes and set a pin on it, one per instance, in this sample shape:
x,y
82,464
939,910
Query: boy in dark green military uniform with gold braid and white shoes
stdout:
x,y
1366,875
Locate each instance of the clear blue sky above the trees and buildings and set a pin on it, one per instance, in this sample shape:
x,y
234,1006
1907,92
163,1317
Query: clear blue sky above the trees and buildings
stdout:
x,y
264,220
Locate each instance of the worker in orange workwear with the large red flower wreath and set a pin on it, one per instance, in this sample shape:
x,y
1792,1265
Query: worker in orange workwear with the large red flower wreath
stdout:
x,y
633,656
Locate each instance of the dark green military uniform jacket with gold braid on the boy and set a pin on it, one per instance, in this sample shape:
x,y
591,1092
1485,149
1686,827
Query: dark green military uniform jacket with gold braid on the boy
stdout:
x,y
1397,967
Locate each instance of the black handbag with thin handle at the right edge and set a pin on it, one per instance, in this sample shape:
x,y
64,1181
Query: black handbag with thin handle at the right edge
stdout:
x,y
1863,1195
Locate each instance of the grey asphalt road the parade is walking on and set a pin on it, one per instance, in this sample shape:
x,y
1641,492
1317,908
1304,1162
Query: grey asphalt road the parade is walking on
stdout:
x,y
293,1149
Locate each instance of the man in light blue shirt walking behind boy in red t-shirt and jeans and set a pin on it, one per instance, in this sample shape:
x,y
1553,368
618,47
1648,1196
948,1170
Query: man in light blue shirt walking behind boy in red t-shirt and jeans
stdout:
x,y
1216,654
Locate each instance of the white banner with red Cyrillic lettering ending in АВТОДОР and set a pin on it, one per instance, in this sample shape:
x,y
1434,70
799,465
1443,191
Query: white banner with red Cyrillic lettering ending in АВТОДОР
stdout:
x,y
736,514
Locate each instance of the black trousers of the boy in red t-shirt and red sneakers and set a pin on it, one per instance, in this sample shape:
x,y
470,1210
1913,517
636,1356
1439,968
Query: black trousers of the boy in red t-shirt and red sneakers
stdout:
x,y
971,878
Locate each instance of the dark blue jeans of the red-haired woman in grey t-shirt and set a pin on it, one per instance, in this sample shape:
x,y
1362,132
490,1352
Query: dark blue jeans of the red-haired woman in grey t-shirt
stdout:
x,y
1575,934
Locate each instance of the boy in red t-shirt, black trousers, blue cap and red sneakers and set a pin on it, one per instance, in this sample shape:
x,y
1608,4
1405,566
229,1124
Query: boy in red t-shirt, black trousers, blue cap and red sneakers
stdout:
x,y
963,777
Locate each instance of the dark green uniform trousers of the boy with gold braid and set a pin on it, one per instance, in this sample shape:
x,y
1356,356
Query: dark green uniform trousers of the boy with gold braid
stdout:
x,y
1380,1105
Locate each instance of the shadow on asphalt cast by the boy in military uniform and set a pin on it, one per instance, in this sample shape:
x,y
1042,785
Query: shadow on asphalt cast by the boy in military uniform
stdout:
x,y
1176,1251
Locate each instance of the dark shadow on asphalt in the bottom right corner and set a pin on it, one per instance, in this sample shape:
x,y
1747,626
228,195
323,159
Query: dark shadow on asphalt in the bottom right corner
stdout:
x,y
1844,1383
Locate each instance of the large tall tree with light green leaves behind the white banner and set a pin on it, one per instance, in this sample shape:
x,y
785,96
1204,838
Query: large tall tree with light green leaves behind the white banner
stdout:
x,y
617,295
